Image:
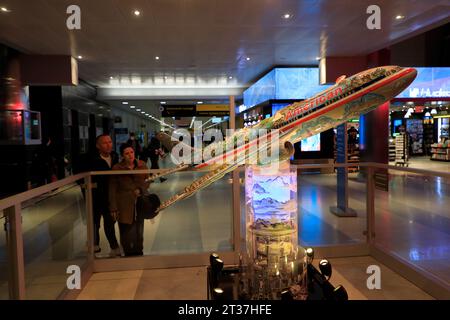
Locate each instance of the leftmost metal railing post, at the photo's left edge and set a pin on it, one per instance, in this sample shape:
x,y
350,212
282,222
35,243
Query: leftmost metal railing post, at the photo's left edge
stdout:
x,y
14,244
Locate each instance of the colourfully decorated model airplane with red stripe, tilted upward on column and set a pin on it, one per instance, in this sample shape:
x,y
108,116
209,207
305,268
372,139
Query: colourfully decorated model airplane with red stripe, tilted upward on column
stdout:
x,y
347,99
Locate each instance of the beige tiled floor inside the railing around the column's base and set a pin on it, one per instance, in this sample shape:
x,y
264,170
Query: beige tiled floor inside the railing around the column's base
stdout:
x,y
190,283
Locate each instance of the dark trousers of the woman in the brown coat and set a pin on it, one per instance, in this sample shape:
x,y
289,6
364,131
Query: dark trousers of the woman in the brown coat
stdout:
x,y
132,237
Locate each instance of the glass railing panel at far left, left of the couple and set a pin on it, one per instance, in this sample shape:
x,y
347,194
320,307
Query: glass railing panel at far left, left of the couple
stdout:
x,y
54,234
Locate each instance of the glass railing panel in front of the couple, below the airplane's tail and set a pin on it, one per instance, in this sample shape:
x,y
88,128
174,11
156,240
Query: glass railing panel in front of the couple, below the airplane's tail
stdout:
x,y
201,223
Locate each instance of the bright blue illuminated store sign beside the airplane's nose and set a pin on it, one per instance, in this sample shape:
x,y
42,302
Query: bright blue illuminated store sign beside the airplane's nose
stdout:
x,y
429,83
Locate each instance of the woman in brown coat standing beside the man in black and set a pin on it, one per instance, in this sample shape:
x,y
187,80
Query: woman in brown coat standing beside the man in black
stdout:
x,y
123,193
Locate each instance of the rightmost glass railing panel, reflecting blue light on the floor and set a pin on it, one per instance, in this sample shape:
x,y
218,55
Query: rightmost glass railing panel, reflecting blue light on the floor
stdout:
x,y
412,220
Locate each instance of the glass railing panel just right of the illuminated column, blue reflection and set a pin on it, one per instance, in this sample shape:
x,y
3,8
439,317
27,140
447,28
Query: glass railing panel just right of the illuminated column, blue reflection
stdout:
x,y
318,197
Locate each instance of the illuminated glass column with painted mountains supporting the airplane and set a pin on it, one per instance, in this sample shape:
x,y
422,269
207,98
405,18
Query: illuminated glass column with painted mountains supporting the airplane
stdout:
x,y
275,261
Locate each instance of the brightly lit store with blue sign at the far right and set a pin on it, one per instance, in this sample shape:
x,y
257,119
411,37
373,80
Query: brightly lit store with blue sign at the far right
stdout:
x,y
421,113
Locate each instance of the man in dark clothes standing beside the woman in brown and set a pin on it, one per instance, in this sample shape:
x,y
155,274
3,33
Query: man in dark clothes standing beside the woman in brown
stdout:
x,y
103,160
